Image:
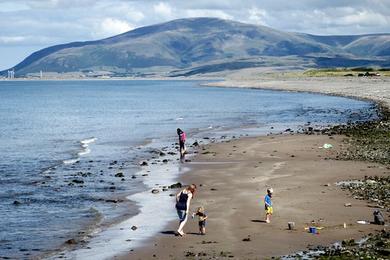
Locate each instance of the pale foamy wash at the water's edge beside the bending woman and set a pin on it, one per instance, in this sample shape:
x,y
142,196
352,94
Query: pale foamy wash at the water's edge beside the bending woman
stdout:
x,y
155,211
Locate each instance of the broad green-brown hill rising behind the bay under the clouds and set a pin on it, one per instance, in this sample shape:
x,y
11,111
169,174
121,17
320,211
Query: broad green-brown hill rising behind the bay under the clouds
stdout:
x,y
202,45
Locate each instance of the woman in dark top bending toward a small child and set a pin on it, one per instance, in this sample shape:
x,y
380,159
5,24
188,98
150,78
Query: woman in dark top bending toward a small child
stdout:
x,y
183,200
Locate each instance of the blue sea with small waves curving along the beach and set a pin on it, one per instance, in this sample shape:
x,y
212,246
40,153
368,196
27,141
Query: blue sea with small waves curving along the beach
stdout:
x,y
63,144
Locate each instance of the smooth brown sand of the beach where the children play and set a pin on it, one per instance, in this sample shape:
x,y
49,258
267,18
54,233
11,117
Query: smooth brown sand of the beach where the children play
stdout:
x,y
232,178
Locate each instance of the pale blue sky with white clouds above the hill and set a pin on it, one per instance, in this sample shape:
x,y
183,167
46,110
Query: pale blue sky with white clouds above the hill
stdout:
x,y
29,25
